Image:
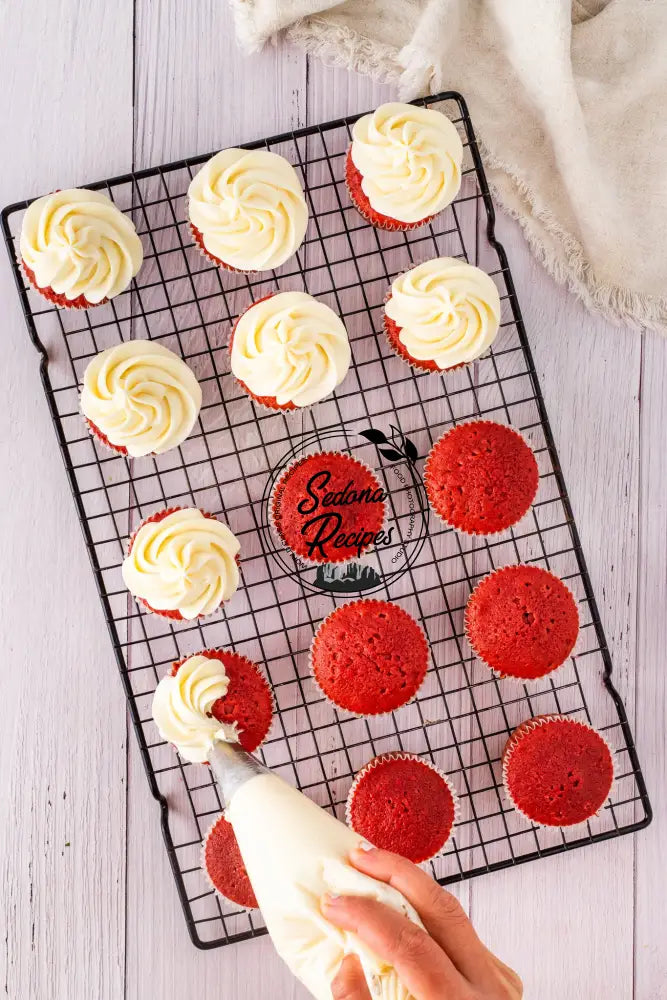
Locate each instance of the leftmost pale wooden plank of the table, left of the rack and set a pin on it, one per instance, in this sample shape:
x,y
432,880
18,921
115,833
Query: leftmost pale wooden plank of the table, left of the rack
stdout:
x,y
66,83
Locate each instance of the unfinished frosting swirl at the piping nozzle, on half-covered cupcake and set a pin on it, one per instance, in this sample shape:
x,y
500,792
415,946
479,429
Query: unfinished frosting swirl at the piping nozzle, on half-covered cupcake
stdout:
x,y
182,706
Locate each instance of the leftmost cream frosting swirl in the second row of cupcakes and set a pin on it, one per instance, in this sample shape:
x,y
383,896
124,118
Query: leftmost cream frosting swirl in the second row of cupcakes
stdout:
x,y
141,396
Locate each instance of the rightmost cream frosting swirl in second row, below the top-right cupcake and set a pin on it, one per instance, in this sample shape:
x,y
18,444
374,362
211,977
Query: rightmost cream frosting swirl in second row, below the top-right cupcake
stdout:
x,y
448,311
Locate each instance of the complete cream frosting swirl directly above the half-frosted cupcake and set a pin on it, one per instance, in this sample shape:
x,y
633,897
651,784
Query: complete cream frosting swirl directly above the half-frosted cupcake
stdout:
x,y
186,562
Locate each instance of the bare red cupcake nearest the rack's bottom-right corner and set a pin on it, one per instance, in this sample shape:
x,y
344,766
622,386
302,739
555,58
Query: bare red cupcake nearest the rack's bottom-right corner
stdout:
x,y
557,771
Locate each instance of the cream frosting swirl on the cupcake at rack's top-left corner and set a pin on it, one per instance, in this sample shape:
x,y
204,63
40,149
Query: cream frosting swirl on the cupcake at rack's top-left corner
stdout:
x,y
78,243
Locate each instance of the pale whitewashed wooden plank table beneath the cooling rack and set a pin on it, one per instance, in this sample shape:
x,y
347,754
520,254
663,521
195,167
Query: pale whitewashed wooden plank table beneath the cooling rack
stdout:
x,y
89,907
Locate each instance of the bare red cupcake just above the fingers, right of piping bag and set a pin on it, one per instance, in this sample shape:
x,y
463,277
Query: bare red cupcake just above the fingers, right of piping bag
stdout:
x,y
402,803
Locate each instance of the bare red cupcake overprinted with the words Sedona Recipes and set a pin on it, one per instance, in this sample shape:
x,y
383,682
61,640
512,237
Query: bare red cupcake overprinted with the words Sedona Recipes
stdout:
x,y
329,508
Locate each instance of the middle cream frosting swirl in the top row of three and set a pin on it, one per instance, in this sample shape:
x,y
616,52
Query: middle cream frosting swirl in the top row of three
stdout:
x,y
249,207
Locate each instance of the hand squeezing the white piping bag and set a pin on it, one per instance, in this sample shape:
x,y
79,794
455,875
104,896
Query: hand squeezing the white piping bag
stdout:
x,y
447,959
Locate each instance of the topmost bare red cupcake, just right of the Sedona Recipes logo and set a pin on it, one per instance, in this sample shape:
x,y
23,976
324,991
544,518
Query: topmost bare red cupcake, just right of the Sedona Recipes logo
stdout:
x,y
481,477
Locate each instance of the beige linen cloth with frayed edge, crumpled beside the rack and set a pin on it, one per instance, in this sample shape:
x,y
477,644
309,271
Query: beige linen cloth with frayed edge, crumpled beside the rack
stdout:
x,y
569,102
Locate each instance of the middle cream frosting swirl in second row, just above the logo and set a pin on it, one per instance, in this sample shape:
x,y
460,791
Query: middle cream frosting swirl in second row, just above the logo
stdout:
x,y
292,347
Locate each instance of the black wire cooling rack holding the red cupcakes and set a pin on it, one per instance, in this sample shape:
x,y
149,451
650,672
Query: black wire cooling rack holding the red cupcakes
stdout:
x,y
463,714
